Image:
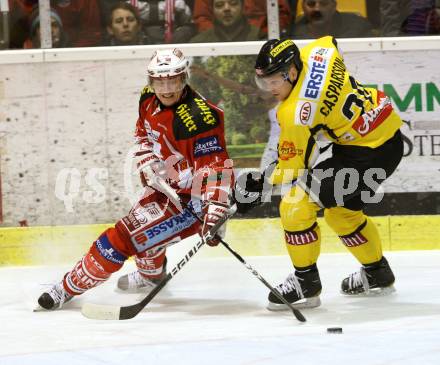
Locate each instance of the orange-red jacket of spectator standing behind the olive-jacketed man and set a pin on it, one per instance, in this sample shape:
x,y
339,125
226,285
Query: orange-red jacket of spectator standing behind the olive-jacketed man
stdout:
x,y
254,10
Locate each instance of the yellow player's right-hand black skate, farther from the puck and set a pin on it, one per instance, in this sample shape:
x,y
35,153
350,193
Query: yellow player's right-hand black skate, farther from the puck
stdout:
x,y
372,279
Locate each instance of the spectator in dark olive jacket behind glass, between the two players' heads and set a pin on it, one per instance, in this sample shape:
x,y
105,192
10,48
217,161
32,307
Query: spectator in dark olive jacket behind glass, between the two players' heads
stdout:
x,y
230,25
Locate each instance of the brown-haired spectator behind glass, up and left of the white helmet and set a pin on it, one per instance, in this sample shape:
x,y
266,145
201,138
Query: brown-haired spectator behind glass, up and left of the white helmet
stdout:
x,y
124,26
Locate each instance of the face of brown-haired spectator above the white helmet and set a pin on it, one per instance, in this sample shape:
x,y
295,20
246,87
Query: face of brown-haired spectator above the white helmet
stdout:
x,y
124,26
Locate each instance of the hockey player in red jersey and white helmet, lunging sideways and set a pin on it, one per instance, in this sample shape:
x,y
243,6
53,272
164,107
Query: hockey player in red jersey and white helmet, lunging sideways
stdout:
x,y
180,140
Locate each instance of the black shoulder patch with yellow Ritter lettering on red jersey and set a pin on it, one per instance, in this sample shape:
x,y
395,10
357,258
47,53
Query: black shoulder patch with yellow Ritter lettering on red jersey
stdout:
x,y
194,115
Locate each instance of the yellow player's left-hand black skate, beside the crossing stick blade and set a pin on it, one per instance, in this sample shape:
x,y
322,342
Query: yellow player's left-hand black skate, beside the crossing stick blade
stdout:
x,y
301,289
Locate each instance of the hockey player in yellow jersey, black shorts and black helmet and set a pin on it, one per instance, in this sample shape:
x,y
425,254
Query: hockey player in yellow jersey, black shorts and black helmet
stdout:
x,y
321,101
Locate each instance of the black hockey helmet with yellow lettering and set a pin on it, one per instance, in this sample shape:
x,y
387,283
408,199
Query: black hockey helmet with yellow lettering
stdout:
x,y
277,55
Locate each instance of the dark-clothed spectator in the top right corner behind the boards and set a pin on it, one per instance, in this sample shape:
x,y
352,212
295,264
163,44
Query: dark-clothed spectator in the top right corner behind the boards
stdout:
x,y
410,17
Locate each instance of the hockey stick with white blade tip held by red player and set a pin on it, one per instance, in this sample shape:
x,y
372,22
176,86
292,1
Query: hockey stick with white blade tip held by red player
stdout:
x,y
102,311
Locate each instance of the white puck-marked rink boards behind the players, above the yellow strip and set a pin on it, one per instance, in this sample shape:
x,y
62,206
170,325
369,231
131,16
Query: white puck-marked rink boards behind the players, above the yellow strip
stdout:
x,y
80,114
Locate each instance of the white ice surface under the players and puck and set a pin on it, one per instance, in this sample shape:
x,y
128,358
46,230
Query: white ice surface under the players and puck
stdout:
x,y
213,312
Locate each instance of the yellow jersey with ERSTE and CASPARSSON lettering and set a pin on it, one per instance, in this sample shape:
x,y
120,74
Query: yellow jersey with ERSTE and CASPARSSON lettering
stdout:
x,y
328,103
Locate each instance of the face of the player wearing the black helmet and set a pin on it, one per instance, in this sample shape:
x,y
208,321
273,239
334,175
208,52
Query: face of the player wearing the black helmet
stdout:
x,y
278,84
